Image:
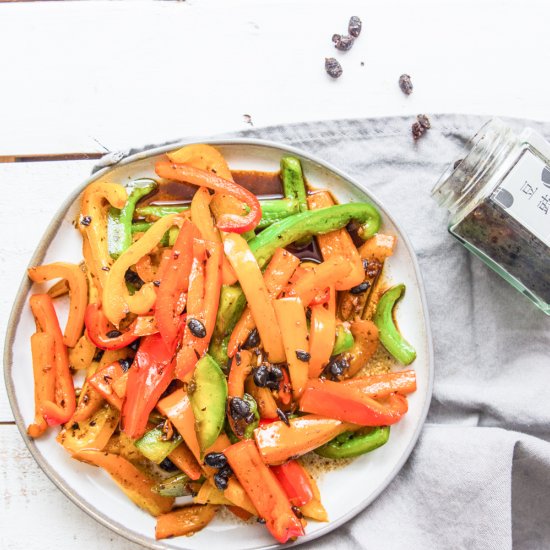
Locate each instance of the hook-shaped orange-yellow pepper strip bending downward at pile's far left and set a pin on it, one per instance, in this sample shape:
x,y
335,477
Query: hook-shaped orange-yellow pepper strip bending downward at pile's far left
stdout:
x,y
78,291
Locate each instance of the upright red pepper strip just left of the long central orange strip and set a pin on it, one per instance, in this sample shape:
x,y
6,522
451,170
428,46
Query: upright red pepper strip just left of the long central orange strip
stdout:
x,y
174,283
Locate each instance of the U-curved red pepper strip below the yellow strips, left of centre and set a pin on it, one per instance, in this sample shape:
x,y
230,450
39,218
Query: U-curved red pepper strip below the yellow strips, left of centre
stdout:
x,y
98,329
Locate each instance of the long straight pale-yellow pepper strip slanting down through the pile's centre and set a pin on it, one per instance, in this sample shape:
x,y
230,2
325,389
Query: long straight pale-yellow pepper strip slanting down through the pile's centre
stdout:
x,y
259,301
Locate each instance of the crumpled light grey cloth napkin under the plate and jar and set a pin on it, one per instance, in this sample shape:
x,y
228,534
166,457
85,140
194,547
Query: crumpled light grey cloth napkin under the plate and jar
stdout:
x,y
479,476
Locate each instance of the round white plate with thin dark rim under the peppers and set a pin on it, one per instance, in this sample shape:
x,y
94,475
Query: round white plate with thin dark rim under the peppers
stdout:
x,y
345,492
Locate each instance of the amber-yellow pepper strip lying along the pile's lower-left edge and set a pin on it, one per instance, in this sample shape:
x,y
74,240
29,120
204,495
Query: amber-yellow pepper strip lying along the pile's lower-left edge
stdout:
x,y
135,484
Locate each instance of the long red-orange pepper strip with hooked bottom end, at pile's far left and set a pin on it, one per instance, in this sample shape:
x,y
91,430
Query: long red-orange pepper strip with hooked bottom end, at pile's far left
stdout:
x,y
58,411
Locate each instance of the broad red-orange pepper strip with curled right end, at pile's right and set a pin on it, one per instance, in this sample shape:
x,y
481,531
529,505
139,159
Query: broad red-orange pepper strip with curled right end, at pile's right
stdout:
x,y
350,404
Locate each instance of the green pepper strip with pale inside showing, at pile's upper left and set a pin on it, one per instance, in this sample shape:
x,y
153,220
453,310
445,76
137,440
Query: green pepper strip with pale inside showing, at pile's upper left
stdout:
x,y
119,222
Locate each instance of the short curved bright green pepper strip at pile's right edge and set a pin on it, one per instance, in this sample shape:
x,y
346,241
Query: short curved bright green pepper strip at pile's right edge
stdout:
x,y
388,333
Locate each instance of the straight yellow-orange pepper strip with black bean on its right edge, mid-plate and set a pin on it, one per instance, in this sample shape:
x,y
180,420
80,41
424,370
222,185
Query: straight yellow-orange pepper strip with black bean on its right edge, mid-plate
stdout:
x,y
291,318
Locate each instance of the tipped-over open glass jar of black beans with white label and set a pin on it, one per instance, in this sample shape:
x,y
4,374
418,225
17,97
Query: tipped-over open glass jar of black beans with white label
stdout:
x,y
498,197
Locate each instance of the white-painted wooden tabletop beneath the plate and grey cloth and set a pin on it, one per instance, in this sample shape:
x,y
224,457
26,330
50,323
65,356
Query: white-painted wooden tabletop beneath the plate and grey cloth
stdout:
x,y
91,76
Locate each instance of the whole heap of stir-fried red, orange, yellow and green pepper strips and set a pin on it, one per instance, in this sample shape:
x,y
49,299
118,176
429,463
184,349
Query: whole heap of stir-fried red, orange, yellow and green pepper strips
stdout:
x,y
213,351
